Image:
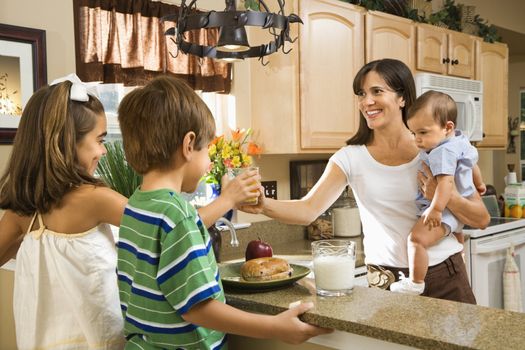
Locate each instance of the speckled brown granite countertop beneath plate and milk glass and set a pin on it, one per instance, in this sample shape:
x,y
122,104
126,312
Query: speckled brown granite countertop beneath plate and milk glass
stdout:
x,y
416,321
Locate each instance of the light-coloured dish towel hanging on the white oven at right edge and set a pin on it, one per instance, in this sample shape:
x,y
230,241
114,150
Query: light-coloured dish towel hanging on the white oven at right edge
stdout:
x,y
512,299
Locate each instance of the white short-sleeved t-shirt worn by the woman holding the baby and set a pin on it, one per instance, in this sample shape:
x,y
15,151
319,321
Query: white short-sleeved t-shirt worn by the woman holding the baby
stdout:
x,y
386,197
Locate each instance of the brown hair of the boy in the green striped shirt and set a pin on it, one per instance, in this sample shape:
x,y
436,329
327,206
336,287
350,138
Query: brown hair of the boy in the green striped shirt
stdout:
x,y
154,119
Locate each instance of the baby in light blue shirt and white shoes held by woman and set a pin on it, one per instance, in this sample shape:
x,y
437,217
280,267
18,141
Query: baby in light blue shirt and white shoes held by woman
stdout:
x,y
451,159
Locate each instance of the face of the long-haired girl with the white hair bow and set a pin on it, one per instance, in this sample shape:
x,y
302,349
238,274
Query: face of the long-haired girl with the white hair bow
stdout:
x,y
91,147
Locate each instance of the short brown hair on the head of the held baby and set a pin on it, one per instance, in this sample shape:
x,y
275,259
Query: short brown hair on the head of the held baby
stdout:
x,y
442,107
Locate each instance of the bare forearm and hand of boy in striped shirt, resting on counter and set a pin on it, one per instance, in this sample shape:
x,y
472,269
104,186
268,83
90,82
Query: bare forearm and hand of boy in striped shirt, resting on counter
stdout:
x,y
285,326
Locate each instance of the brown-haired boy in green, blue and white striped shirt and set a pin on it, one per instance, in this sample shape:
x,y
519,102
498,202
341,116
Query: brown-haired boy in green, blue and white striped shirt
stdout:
x,y
170,290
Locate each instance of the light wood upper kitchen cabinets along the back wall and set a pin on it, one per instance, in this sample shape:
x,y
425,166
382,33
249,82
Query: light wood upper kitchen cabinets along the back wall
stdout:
x,y
303,102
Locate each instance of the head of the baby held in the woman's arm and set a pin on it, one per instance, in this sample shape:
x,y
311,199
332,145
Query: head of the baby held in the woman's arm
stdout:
x,y
431,119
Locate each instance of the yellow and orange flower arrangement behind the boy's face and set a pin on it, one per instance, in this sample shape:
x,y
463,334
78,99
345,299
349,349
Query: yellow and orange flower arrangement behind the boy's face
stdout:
x,y
235,152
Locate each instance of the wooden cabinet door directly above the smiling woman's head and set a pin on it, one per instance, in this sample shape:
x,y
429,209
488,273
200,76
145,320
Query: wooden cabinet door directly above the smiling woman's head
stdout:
x,y
389,36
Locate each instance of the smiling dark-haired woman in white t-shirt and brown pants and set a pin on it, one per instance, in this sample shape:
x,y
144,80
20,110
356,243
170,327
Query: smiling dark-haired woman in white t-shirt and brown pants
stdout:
x,y
381,165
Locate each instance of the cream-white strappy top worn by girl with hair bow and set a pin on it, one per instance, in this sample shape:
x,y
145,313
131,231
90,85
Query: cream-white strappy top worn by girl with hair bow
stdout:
x,y
66,294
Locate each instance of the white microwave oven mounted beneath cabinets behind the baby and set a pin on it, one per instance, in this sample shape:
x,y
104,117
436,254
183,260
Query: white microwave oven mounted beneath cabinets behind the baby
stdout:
x,y
468,95
